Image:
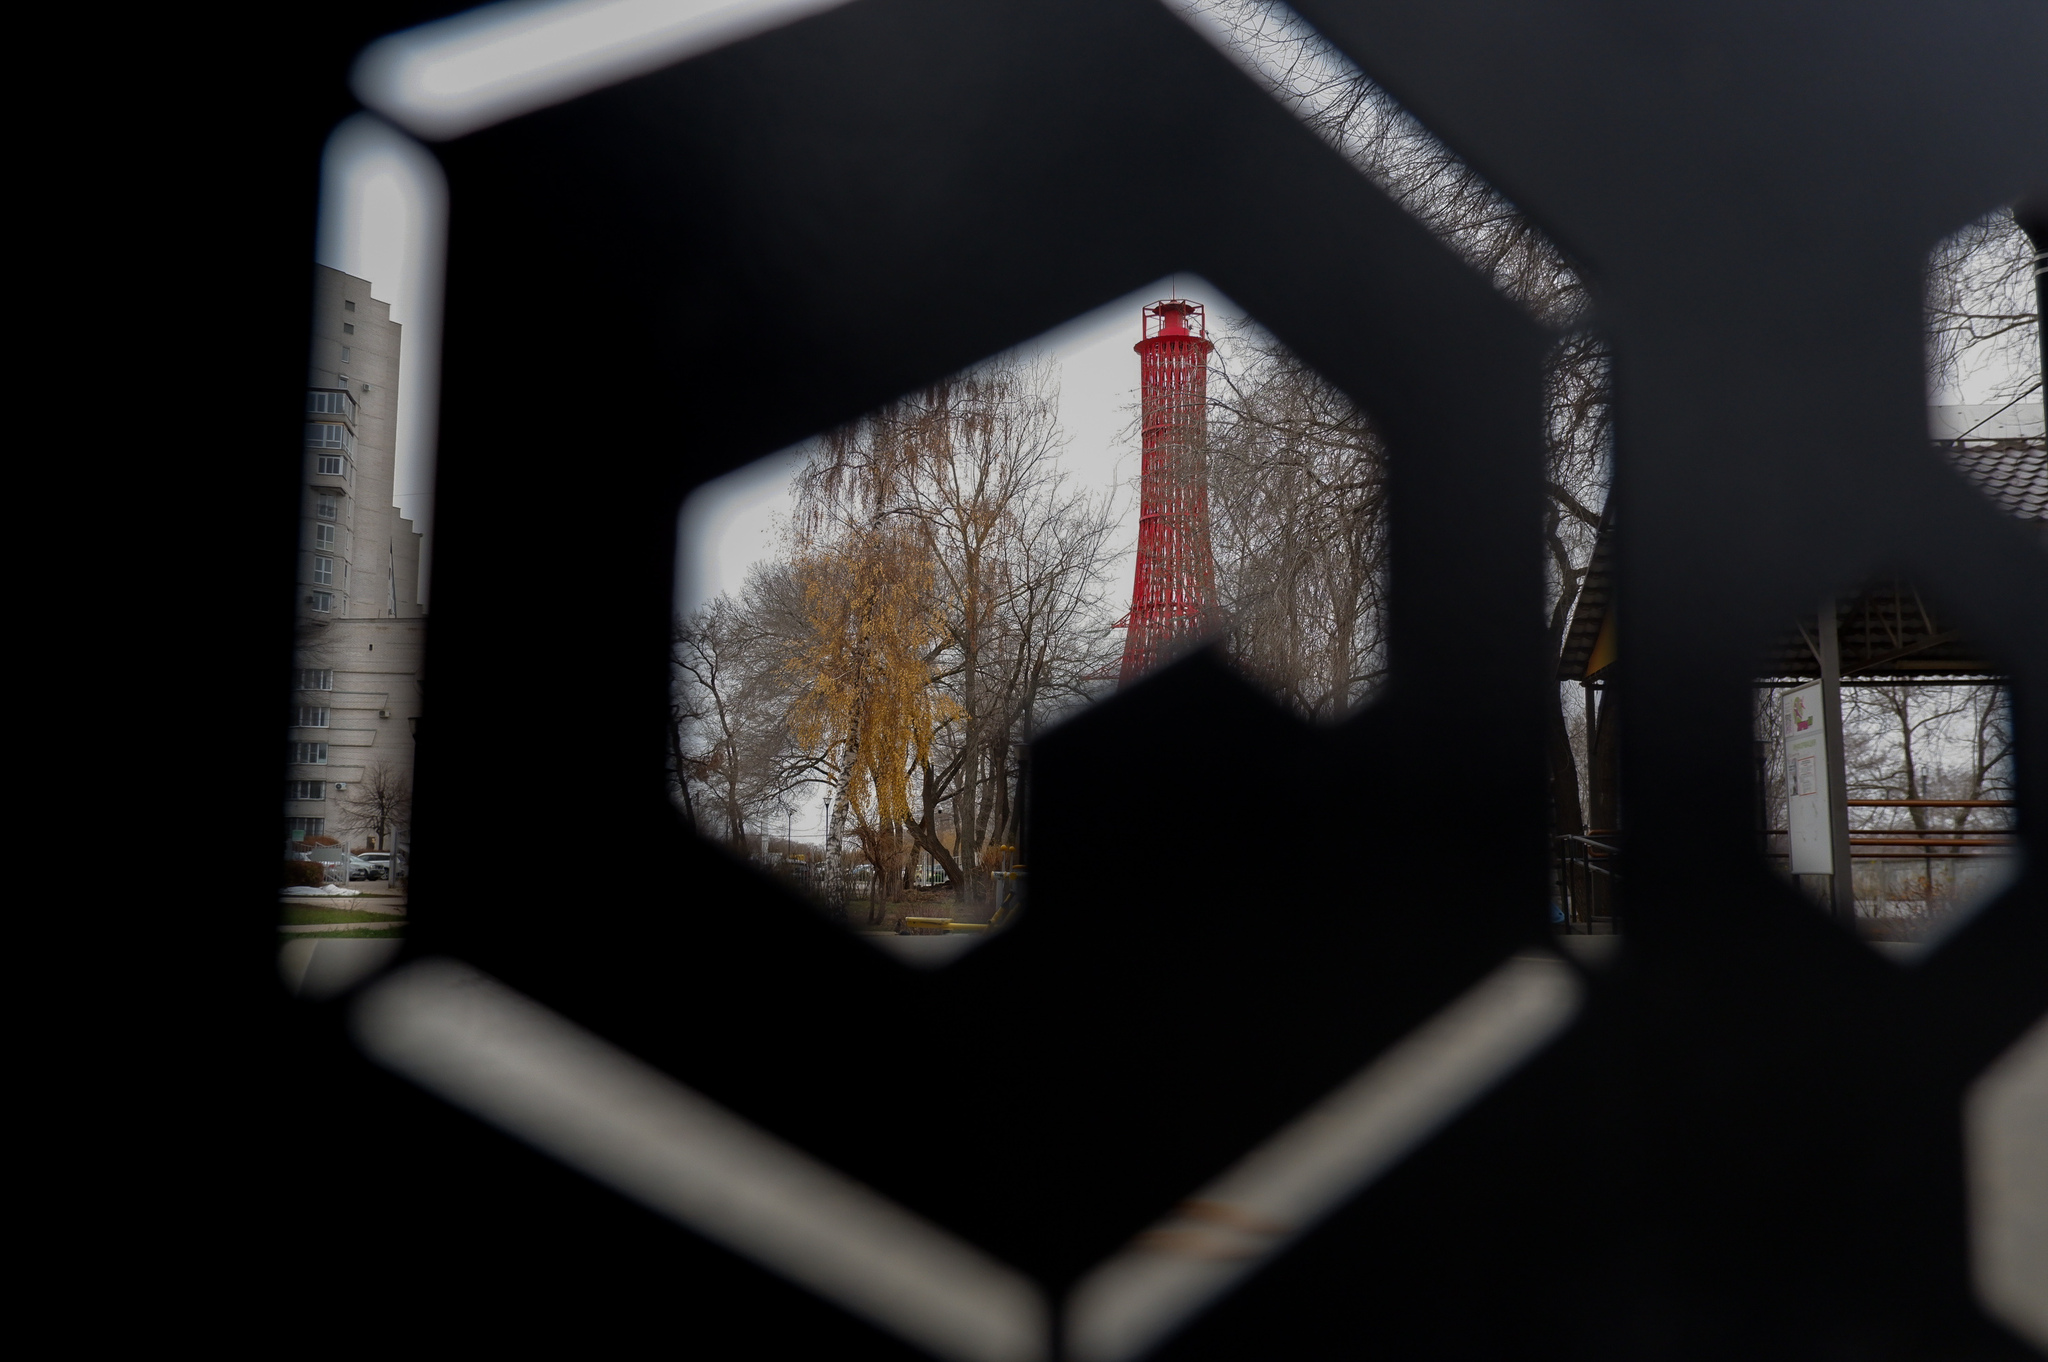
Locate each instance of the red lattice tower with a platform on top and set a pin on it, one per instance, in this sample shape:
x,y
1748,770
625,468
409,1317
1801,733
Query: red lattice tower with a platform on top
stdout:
x,y
1175,593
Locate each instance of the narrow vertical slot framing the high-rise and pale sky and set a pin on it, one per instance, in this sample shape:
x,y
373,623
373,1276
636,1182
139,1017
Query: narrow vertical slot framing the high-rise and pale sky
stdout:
x,y
359,638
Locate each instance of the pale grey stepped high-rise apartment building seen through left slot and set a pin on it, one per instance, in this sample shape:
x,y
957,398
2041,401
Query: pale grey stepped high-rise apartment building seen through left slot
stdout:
x,y
359,595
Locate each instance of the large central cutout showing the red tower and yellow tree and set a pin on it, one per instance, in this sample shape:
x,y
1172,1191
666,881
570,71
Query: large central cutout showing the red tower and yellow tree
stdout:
x,y
871,626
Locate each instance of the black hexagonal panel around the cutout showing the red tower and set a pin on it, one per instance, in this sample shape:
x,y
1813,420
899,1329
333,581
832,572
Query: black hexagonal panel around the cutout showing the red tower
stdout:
x,y
1144,990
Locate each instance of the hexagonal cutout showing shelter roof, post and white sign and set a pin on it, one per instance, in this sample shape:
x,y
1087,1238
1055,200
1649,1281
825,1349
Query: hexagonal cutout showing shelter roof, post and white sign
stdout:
x,y
1885,747
